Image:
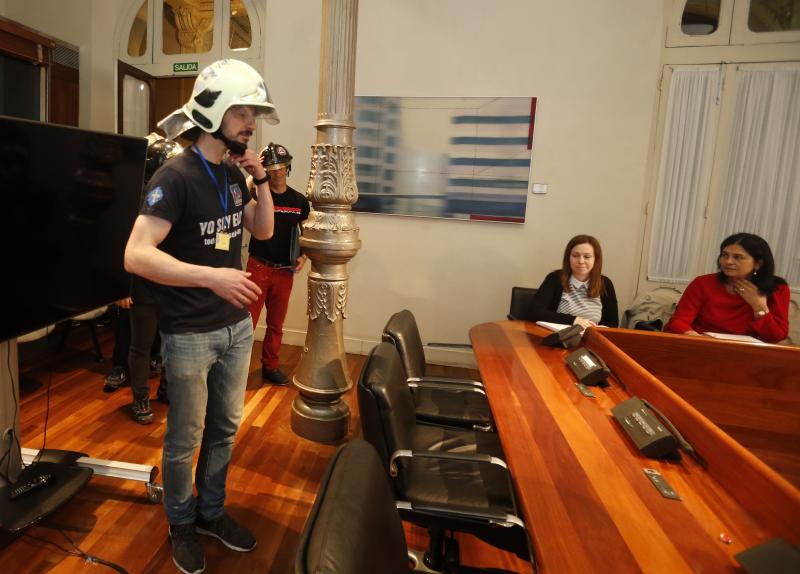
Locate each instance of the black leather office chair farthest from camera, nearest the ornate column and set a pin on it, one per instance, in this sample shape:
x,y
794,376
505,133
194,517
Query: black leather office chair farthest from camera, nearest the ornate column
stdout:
x,y
438,400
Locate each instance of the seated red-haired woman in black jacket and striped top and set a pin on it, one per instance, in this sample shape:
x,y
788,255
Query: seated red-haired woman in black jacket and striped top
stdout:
x,y
578,293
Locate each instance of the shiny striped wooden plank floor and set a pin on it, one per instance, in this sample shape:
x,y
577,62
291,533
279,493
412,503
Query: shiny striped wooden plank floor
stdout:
x,y
272,481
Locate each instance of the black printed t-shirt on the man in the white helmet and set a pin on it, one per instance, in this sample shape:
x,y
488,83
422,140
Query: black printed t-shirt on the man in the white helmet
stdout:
x,y
183,193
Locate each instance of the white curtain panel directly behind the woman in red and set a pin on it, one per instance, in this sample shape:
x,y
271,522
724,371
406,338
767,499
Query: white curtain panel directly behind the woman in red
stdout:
x,y
761,194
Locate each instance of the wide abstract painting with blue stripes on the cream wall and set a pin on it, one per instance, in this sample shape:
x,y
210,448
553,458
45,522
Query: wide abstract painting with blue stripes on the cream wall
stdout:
x,y
463,158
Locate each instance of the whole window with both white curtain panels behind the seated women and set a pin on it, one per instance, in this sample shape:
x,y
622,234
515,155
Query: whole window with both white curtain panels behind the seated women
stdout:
x,y
729,162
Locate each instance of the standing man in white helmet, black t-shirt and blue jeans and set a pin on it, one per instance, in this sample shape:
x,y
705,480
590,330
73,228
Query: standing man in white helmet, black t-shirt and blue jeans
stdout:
x,y
187,239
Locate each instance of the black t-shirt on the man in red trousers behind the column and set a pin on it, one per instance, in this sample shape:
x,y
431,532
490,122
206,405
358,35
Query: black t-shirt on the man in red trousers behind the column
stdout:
x,y
291,209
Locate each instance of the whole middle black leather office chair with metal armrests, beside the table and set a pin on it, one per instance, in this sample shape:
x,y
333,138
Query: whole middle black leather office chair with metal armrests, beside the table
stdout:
x,y
441,482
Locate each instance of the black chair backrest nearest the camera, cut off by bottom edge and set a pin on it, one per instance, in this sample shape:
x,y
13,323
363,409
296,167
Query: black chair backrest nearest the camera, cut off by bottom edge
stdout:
x,y
354,526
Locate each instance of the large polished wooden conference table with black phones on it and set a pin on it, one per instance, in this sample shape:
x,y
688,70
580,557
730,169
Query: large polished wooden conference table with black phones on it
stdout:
x,y
580,481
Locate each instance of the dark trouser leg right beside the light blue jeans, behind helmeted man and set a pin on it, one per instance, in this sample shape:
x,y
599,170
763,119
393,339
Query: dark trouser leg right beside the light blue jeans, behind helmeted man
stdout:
x,y
145,344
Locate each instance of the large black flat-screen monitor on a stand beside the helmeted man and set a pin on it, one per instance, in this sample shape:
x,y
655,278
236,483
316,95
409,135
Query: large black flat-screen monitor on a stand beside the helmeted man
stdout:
x,y
69,198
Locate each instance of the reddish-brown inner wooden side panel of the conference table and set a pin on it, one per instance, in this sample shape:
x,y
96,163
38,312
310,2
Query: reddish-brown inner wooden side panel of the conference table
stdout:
x,y
752,392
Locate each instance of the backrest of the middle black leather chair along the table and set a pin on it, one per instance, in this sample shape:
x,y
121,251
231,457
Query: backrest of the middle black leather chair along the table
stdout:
x,y
385,404
